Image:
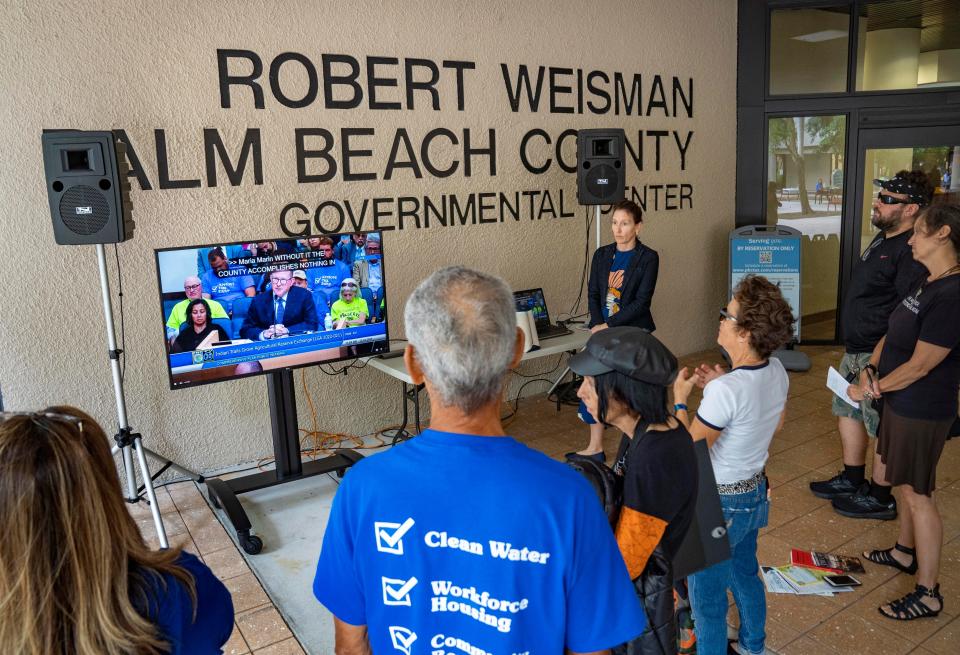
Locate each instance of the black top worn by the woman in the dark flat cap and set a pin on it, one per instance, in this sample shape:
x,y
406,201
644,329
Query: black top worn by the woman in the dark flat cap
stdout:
x,y
660,480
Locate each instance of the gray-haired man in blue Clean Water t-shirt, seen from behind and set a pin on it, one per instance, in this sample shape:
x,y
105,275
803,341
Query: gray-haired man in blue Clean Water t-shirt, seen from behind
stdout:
x,y
463,539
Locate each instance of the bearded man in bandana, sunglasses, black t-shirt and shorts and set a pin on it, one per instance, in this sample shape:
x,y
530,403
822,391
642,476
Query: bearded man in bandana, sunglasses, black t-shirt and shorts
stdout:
x,y
884,275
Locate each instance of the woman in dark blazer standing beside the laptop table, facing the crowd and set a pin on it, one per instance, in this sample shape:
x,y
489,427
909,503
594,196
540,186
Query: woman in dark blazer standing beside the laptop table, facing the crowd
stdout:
x,y
623,277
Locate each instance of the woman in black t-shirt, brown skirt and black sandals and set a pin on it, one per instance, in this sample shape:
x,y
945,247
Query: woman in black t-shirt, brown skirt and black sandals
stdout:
x,y
916,368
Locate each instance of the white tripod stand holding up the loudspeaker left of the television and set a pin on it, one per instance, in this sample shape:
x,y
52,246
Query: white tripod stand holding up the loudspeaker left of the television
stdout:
x,y
129,443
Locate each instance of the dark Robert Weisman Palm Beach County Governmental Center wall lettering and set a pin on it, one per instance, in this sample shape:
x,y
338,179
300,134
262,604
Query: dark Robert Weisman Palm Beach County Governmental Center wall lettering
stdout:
x,y
342,83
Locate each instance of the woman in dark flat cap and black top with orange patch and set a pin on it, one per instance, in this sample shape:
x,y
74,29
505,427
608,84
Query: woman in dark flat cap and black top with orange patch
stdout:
x,y
626,373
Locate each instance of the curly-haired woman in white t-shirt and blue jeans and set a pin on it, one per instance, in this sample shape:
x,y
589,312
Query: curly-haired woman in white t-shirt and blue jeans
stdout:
x,y
740,412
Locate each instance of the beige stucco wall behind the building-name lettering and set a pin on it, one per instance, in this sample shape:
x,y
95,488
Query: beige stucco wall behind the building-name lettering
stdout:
x,y
144,66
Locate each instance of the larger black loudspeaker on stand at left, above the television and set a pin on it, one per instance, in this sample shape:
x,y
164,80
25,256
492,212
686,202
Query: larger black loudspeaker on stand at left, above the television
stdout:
x,y
88,187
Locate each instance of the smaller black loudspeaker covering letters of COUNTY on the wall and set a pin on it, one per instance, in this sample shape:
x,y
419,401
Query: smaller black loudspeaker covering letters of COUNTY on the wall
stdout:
x,y
600,166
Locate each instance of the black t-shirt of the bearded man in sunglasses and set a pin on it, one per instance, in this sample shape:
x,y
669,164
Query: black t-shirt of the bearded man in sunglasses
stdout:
x,y
885,274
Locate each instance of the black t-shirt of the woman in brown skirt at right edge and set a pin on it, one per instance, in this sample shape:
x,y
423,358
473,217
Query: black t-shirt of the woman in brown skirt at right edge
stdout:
x,y
930,314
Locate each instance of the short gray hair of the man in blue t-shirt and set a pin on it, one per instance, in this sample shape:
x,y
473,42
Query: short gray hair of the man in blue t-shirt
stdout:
x,y
462,325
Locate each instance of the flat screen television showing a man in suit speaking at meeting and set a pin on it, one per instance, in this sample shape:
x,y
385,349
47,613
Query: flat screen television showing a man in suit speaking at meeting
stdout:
x,y
233,310
